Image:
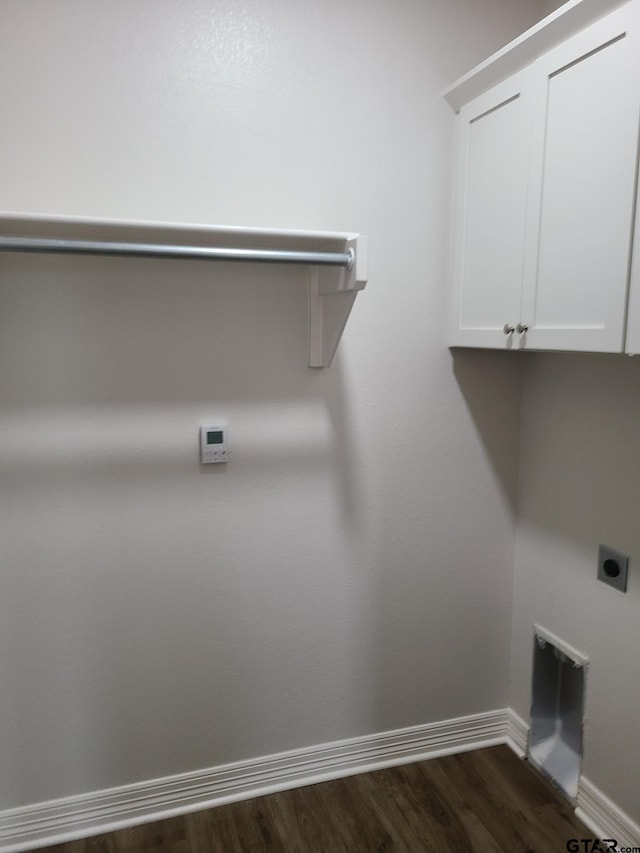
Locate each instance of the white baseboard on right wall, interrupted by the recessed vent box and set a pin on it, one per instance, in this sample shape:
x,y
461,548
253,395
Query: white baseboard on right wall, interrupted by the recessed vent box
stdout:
x,y
600,814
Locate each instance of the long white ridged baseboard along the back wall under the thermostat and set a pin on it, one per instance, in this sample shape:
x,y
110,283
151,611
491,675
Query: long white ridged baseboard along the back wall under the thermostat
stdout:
x,y
81,816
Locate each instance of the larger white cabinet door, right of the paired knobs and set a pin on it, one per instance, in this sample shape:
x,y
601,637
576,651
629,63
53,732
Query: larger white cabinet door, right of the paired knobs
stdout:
x,y
584,152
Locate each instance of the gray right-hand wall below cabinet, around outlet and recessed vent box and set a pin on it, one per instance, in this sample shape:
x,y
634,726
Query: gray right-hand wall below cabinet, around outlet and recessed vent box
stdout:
x,y
580,486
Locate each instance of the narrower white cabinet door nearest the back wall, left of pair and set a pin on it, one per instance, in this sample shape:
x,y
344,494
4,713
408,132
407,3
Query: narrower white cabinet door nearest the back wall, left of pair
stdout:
x,y
490,207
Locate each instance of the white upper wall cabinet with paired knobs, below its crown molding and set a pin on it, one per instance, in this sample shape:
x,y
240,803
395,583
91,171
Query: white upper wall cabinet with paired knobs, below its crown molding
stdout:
x,y
545,196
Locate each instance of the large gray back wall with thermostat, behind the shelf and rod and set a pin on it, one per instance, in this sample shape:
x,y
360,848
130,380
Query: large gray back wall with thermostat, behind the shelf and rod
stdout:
x,y
351,571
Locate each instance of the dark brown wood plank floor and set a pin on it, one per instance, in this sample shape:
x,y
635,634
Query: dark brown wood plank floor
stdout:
x,y
487,801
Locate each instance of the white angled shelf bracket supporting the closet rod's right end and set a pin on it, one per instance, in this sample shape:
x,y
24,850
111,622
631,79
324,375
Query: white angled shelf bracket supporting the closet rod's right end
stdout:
x,y
332,293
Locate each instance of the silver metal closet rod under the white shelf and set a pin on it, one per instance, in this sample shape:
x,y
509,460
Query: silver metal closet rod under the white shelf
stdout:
x,y
157,250
